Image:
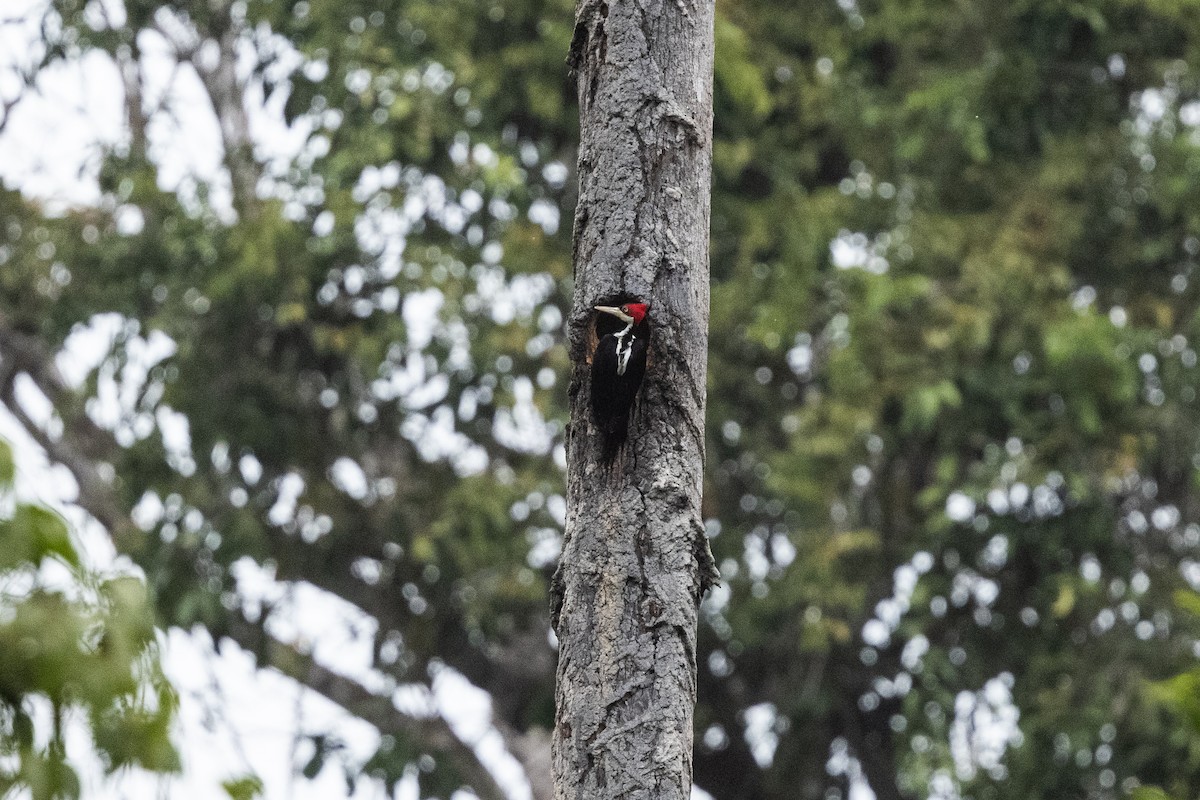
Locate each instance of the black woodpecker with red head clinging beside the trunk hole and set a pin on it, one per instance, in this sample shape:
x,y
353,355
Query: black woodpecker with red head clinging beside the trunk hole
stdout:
x,y
617,369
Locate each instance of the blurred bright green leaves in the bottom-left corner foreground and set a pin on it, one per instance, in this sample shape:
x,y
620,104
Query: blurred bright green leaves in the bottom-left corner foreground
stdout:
x,y
73,642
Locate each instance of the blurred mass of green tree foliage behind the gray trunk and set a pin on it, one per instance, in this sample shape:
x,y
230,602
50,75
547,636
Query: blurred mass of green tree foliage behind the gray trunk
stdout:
x,y
952,388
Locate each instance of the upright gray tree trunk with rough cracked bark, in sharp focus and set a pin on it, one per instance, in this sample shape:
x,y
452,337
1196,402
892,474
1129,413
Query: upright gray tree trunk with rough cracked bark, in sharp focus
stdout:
x,y
635,558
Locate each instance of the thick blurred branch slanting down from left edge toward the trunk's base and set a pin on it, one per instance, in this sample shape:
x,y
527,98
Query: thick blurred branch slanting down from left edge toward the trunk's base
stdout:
x,y
82,449
